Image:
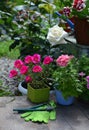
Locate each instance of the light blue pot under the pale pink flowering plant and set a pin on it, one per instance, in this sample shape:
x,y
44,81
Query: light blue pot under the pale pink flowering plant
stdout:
x,y
61,100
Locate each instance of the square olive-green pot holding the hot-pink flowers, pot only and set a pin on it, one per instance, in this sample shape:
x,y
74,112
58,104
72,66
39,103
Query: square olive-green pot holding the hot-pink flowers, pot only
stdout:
x,y
38,95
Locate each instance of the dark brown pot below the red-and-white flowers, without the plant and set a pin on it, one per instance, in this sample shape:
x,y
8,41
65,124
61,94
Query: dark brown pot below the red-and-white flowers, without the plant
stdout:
x,y
82,31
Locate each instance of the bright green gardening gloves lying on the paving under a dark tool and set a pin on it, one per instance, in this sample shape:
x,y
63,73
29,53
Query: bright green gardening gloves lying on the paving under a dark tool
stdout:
x,y
40,116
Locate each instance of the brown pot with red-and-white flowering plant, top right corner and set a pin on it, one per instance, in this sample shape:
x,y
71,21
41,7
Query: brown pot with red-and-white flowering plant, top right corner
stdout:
x,y
79,9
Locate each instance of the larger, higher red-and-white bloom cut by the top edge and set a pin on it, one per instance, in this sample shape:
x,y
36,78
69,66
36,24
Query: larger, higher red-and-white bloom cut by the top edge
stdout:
x,y
79,5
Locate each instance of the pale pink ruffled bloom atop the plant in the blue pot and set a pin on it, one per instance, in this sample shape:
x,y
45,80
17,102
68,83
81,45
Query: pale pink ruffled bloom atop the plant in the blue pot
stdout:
x,y
63,60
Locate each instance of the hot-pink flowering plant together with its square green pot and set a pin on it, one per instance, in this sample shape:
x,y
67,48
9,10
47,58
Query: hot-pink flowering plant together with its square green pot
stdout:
x,y
36,73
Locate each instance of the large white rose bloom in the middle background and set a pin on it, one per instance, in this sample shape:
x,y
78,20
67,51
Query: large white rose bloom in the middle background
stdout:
x,y
56,35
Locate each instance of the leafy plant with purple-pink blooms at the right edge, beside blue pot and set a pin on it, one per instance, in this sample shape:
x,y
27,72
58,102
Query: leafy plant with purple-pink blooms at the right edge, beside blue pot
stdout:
x,y
84,78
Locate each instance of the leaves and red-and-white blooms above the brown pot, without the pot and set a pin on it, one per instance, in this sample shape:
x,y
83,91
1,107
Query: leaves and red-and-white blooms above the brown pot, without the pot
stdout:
x,y
77,8
